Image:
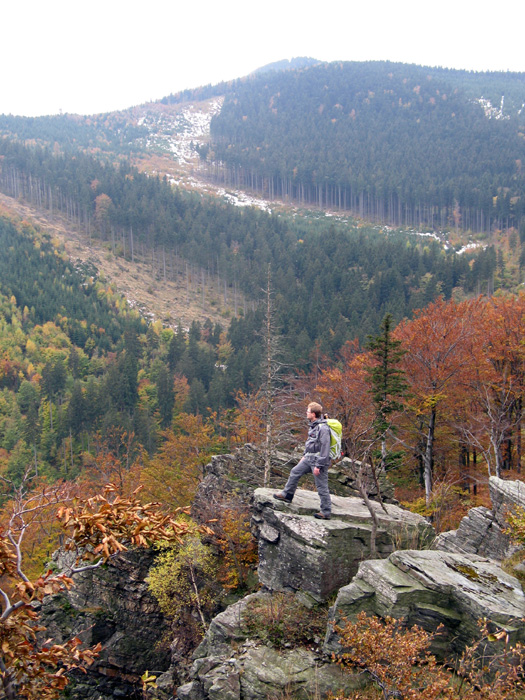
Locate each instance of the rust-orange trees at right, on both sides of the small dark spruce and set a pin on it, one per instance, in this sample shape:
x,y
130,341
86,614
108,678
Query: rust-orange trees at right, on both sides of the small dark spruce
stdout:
x,y
459,418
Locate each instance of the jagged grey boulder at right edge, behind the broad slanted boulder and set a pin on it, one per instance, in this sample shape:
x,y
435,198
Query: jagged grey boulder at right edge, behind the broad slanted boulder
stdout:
x,y
482,530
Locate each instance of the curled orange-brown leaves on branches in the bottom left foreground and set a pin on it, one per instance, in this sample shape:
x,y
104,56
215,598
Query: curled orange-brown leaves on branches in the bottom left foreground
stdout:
x,y
99,528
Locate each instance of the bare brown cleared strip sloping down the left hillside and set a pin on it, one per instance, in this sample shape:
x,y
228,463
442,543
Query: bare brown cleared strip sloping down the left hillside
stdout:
x,y
187,297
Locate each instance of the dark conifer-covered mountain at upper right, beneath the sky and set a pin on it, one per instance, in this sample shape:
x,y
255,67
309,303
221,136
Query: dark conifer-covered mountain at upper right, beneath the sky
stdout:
x,y
397,143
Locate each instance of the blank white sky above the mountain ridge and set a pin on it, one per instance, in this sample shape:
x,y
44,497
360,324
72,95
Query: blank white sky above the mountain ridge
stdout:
x,y
103,55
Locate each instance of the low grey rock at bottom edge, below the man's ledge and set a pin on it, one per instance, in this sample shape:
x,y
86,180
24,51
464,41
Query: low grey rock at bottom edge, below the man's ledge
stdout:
x,y
229,666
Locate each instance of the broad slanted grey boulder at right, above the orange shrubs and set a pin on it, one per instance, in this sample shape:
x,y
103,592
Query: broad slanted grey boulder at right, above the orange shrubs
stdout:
x,y
429,588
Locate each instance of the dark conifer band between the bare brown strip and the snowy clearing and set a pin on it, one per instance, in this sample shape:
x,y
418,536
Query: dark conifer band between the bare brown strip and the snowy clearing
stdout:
x,y
332,282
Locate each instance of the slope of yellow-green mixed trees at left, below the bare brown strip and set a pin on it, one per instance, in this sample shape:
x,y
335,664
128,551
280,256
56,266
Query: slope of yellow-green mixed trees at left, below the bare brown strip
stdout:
x,y
81,373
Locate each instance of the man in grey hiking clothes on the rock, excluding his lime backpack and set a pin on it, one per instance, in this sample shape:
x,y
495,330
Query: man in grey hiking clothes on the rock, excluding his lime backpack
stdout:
x,y
316,459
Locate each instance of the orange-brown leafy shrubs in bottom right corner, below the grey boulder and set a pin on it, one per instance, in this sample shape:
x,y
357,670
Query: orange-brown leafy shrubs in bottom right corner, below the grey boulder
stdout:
x,y
398,662
